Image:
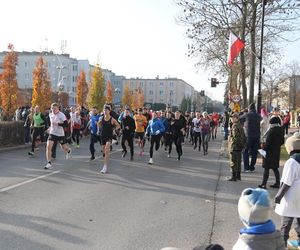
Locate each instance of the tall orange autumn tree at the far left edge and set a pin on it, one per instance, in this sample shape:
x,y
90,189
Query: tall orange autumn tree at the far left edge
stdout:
x,y
9,84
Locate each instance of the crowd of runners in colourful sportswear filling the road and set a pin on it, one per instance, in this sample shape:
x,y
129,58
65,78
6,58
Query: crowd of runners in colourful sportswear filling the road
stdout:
x,y
162,128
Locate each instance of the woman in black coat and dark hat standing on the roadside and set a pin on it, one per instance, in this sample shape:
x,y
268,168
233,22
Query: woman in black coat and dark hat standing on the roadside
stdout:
x,y
274,140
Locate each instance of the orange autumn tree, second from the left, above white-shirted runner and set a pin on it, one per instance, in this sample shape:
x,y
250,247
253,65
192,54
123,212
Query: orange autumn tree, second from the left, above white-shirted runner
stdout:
x,y
41,92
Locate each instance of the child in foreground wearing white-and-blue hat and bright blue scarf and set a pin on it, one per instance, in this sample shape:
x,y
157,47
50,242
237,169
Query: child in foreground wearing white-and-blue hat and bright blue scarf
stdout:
x,y
260,233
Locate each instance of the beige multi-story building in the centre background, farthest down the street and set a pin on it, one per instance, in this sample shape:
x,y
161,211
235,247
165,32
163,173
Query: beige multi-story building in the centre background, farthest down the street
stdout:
x,y
169,91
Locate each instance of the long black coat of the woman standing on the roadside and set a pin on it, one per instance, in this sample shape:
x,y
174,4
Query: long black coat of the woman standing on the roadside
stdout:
x,y
274,140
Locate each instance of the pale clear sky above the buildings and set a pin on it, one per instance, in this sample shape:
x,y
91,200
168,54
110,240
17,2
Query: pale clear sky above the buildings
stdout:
x,y
134,38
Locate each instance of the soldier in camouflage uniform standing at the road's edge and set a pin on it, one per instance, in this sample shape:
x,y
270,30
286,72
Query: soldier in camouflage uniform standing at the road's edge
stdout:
x,y
236,144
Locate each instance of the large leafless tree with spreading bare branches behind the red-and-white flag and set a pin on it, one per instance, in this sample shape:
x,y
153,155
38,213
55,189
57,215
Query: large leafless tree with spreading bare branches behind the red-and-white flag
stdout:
x,y
209,22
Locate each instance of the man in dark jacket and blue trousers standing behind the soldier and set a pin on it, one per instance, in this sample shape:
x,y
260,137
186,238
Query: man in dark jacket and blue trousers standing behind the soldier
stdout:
x,y
252,128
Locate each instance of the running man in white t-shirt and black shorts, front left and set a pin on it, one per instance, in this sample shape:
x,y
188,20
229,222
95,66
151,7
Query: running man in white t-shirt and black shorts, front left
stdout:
x,y
56,133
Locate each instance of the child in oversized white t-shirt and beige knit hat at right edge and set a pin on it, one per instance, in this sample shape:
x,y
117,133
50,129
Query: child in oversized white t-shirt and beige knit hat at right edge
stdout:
x,y
288,197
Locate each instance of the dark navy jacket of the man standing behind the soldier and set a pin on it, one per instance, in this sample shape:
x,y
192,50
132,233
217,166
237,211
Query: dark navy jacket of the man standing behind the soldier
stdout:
x,y
251,122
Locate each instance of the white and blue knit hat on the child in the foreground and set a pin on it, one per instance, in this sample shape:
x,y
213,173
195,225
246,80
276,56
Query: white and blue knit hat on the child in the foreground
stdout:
x,y
254,206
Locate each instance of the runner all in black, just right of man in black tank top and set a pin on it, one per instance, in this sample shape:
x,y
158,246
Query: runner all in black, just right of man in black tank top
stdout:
x,y
128,128
